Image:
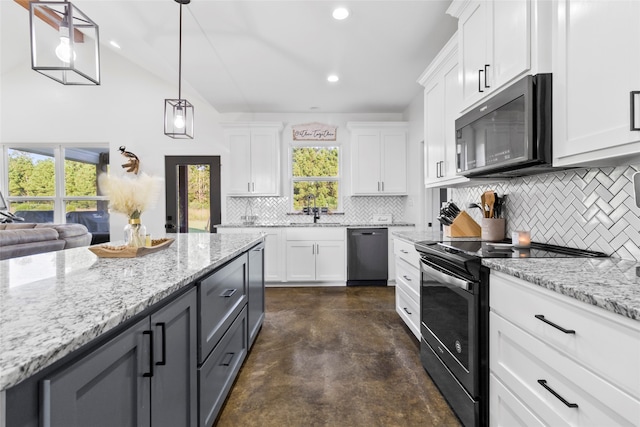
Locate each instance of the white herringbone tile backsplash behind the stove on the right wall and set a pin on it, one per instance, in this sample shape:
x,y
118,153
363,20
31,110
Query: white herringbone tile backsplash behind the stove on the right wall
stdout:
x,y
582,208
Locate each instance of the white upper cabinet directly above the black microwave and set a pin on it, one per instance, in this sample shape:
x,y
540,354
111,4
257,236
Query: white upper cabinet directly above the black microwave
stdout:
x,y
500,41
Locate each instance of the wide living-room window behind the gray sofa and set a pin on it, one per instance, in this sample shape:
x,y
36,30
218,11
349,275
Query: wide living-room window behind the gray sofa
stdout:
x,y
57,184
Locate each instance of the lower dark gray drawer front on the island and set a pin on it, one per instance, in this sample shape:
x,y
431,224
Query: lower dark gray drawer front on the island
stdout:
x,y
216,376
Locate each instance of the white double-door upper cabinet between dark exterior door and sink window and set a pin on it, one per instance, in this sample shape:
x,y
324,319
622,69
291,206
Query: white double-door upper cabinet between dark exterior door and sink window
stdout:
x,y
254,158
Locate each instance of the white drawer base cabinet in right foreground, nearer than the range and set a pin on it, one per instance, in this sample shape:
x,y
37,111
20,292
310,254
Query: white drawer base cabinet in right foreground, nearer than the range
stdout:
x,y
557,361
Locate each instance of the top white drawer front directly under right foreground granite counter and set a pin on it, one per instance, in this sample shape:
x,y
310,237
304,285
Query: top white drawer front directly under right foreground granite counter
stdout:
x,y
606,343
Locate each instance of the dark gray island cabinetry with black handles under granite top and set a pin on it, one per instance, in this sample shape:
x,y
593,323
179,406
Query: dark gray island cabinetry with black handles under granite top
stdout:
x,y
171,364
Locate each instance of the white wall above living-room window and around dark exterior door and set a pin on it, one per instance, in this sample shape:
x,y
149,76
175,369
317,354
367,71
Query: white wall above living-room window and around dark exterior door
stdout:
x,y
126,109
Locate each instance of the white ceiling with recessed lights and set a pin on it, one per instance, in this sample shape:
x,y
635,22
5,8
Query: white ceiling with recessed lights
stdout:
x,y
275,56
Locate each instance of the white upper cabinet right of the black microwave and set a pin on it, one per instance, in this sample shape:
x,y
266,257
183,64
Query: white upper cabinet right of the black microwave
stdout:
x,y
596,72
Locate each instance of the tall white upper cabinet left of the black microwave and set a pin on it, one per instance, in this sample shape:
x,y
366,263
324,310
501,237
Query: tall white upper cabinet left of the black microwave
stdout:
x,y
442,100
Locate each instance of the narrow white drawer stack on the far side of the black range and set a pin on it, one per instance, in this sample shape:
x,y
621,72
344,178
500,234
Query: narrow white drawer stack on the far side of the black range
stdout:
x,y
407,275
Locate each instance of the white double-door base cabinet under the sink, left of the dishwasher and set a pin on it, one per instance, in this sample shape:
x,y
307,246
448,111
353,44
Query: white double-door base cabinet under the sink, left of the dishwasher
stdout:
x,y
315,254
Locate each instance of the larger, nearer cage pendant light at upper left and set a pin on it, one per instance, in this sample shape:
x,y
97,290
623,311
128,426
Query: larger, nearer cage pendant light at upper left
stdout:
x,y
65,44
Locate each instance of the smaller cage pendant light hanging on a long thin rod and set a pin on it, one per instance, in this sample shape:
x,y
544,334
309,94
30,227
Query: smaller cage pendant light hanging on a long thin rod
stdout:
x,y
178,113
